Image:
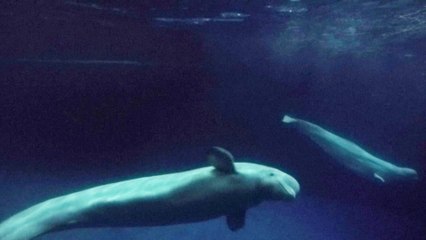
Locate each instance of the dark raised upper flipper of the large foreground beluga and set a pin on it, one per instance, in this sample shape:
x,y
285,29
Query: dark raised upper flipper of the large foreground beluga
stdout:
x,y
221,159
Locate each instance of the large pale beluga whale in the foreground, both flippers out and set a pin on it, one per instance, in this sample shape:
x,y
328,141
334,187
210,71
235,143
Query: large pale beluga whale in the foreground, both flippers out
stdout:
x,y
226,188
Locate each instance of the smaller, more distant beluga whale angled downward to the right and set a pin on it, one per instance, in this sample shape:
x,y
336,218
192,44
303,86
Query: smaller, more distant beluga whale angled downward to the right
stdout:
x,y
351,155
